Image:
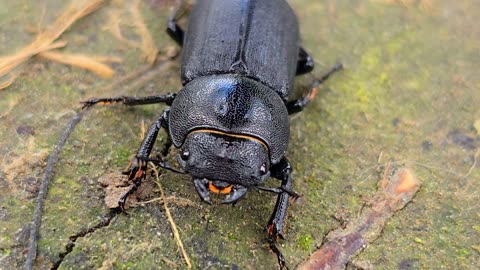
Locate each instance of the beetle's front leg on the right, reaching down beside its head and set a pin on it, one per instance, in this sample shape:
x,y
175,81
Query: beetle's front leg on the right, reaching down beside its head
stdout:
x,y
275,226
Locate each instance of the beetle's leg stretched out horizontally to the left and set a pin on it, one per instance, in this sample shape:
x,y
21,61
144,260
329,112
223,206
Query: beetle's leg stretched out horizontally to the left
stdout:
x,y
132,101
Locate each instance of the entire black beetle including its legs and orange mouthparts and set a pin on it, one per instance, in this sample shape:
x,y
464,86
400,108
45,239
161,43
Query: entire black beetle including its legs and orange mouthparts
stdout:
x,y
230,119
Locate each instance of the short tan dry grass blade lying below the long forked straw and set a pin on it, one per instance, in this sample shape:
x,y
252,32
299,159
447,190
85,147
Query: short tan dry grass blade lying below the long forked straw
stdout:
x,y
81,61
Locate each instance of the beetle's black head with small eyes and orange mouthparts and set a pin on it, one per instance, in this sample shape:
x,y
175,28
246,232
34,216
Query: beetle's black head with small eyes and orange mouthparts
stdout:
x,y
224,163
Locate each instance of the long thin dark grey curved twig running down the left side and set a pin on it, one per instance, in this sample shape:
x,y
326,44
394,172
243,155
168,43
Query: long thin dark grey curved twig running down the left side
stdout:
x,y
52,160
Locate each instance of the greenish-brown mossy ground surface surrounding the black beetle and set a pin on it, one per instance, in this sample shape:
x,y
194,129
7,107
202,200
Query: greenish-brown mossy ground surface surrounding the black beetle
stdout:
x,y
409,93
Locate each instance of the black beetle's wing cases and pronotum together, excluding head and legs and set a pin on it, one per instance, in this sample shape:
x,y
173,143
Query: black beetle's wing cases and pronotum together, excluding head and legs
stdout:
x,y
238,65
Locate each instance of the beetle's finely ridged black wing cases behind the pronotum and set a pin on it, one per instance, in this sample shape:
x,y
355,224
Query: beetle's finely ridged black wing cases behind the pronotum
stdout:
x,y
255,38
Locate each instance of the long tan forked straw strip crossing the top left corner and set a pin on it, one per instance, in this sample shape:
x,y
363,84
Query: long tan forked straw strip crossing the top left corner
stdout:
x,y
45,40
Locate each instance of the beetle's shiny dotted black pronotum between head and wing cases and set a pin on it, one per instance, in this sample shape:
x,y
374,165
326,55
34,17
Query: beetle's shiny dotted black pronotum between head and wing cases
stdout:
x,y
233,104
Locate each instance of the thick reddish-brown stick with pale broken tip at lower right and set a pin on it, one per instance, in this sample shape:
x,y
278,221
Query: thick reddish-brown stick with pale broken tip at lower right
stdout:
x,y
395,190
